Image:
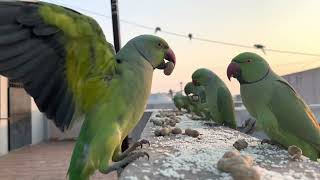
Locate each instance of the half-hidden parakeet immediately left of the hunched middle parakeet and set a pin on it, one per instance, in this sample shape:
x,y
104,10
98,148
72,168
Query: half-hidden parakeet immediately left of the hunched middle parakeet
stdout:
x,y
197,99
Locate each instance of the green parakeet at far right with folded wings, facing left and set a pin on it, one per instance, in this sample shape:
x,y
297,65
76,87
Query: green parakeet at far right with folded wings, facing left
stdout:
x,y
278,108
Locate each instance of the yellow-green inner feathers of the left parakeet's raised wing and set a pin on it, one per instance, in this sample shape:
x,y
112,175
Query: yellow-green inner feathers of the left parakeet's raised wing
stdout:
x,y
89,55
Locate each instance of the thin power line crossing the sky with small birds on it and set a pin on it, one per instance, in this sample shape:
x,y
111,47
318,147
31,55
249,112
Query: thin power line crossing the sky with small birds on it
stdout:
x,y
156,29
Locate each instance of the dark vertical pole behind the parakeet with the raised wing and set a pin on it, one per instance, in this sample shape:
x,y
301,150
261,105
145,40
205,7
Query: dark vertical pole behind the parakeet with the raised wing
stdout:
x,y
117,45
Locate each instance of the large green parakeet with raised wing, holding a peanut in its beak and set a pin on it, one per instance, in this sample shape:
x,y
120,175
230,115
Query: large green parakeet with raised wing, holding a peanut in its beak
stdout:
x,y
72,72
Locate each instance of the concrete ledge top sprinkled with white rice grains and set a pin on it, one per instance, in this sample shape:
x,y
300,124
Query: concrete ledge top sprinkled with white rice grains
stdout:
x,y
184,157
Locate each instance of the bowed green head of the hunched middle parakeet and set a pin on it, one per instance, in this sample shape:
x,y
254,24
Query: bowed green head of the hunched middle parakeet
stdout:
x,y
202,76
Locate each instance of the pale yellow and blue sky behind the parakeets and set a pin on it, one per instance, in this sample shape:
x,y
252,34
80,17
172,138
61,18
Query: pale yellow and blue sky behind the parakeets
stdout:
x,y
278,24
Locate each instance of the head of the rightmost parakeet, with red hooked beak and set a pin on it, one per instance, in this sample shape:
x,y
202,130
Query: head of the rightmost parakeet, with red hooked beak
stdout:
x,y
248,68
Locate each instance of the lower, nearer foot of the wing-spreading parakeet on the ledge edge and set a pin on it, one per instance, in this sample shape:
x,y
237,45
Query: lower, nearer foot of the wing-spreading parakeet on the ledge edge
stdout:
x,y
120,165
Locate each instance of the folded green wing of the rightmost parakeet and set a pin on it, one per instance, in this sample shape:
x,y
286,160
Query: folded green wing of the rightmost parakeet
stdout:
x,y
293,114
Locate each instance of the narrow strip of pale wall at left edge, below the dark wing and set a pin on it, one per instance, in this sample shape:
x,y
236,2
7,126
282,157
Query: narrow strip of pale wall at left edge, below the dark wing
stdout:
x,y
3,115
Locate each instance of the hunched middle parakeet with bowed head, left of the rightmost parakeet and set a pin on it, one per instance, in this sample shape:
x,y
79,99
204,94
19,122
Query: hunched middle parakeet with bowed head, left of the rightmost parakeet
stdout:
x,y
218,97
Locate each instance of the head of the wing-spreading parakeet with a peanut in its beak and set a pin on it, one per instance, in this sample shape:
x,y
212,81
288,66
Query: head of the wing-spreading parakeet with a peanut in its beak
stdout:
x,y
155,50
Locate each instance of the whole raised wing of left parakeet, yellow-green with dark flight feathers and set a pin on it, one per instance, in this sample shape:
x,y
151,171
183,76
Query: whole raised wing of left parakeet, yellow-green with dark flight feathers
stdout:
x,y
60,56
